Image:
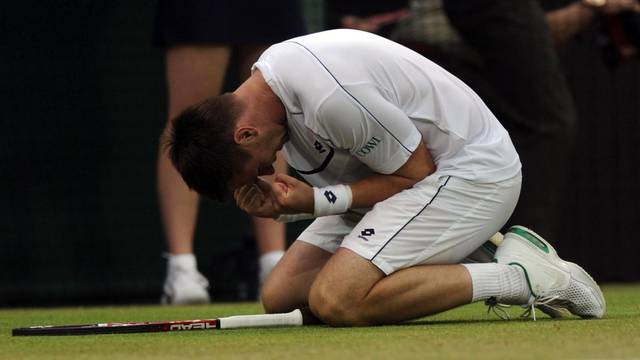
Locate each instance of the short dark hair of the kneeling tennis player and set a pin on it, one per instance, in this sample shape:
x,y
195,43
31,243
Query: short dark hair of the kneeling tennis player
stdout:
x,y
202,148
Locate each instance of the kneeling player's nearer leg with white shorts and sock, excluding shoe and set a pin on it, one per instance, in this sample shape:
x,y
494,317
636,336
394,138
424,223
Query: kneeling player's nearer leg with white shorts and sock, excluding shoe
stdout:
x,y
442,221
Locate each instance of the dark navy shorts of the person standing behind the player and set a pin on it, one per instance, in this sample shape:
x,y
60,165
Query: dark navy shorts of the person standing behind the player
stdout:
x,y
229,22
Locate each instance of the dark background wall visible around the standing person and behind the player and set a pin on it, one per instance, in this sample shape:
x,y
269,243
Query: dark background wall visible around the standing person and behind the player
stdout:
x,y
83,103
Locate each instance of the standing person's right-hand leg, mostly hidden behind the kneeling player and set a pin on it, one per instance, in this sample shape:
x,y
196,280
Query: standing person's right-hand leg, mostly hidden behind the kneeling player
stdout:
x,y
270,235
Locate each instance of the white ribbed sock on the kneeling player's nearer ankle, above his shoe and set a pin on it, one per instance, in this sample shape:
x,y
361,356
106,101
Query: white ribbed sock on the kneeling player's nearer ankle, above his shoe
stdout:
x,y
506,282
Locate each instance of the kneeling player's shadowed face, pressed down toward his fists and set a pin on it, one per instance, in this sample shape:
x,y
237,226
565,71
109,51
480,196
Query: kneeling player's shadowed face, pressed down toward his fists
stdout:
x,y
262,155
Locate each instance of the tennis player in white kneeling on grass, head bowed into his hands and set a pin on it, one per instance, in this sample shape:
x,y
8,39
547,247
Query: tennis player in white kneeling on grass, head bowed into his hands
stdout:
x,y
409,172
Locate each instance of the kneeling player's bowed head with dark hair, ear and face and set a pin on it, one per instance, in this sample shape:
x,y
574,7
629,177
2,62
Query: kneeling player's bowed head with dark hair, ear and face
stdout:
x,y
223,143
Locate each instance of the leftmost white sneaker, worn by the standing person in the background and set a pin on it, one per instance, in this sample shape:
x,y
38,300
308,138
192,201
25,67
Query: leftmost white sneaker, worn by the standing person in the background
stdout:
x,y
184,286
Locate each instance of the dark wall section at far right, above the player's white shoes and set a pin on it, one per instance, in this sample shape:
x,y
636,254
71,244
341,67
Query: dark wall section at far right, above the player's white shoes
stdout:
x,y
604,193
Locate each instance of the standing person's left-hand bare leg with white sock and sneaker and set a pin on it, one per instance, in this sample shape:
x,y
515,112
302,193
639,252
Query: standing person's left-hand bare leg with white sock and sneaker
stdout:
x,y
193,73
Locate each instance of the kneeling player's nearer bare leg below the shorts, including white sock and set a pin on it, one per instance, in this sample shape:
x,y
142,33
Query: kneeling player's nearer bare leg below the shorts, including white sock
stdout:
x,y
367,297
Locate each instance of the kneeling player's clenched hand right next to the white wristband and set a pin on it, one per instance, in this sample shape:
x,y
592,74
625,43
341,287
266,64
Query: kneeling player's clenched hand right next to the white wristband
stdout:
x,y
291,195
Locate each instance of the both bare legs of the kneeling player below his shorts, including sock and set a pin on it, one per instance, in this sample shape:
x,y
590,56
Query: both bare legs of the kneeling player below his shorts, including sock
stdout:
x,y
346,289
